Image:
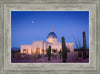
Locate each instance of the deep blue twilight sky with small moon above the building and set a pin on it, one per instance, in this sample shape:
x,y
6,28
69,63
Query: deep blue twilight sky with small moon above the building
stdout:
x,y
29,26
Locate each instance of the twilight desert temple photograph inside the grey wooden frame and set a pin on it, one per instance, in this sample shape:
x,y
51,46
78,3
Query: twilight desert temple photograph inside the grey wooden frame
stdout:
x,y
34,25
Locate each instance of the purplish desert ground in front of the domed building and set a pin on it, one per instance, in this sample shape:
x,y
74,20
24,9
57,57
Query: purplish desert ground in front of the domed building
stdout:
x,y
72,58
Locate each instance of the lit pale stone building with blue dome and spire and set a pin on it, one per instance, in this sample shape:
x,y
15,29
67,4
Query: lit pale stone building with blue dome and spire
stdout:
x,y
42,46
